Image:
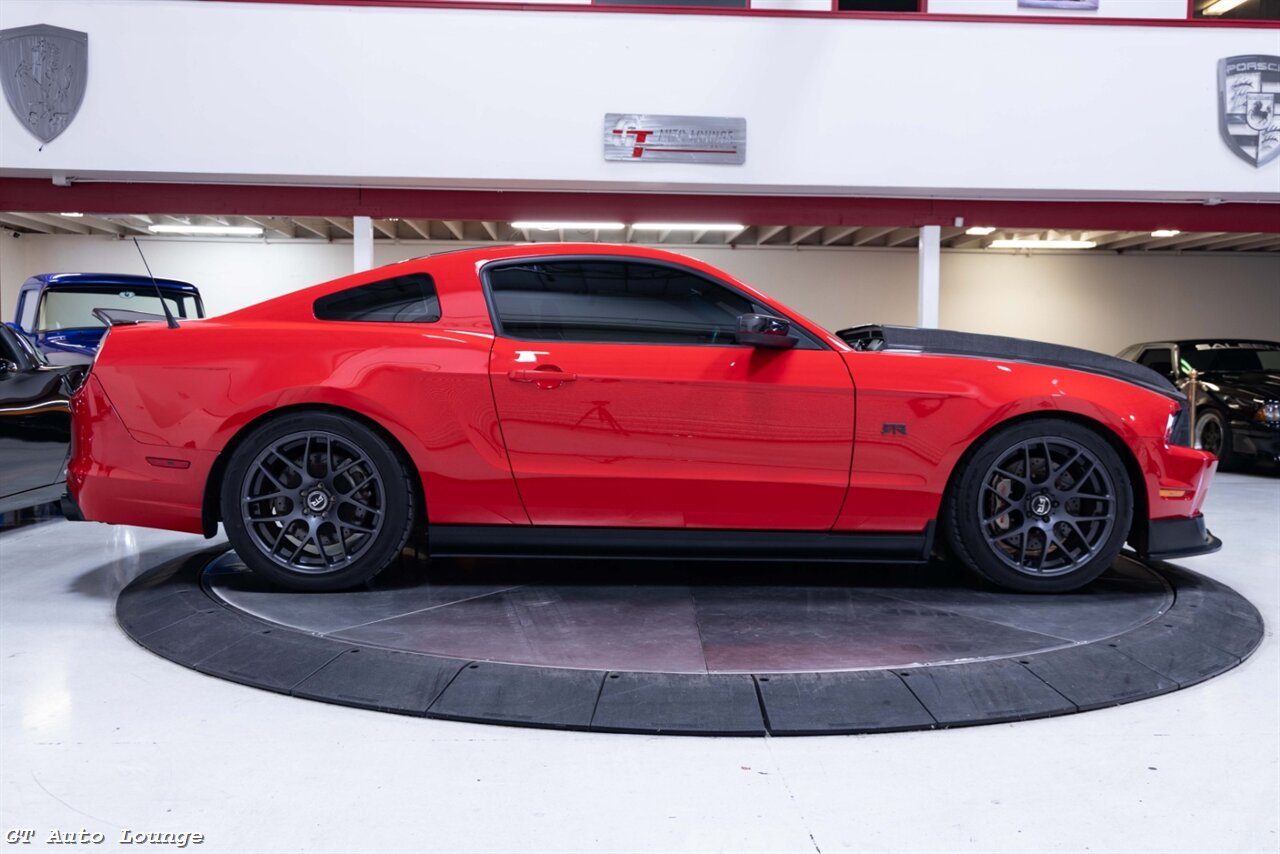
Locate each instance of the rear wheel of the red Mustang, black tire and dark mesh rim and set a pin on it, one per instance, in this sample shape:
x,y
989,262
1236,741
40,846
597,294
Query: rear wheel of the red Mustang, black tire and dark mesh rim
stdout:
x,y
317,503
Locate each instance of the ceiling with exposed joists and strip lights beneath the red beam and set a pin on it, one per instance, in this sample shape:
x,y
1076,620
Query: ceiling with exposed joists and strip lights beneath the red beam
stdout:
x,y
340,229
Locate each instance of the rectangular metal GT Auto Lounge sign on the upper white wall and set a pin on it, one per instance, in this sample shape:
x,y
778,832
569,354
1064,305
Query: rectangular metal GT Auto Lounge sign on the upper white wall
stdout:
x,y
675,139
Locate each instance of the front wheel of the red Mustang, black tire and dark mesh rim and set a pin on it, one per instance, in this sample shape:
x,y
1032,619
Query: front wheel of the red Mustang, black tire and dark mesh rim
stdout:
x,y
1041,506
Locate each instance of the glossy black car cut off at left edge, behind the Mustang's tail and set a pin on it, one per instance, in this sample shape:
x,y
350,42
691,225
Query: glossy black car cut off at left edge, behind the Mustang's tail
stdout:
x,y
35,423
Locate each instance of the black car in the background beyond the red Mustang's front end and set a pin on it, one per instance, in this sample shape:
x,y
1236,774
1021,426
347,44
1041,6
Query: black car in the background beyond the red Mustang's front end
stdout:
x,y
1238,391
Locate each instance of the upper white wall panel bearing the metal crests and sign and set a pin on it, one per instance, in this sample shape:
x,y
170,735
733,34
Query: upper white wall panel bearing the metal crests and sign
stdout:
x,y
476,98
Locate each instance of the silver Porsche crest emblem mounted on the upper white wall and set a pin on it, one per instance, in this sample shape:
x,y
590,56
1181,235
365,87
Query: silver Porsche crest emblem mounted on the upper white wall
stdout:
x,y
1247,94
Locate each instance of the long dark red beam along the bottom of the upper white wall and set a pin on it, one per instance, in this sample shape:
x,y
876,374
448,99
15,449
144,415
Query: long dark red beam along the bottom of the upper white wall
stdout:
x,y
253,200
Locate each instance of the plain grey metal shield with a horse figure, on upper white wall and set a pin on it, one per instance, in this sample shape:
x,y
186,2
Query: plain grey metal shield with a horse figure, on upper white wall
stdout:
x,y
44,71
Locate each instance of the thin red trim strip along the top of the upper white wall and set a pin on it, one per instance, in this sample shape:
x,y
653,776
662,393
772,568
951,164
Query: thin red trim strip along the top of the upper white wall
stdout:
x,y
785,13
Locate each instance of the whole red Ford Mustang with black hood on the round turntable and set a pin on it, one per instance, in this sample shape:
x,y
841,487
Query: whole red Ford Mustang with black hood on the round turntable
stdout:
x,y
586,400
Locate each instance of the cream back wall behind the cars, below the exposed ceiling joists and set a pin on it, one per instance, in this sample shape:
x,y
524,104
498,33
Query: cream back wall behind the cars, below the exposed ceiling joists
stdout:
x,y
1098,302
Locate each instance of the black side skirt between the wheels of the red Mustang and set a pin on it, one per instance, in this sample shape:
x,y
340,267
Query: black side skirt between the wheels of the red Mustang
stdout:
x,y
527,541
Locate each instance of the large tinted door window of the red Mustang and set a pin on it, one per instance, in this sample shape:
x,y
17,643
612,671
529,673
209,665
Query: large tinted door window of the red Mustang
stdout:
x,y
615,302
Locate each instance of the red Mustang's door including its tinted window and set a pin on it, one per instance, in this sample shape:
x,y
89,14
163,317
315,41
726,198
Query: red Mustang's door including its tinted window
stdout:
x,y
625,401
